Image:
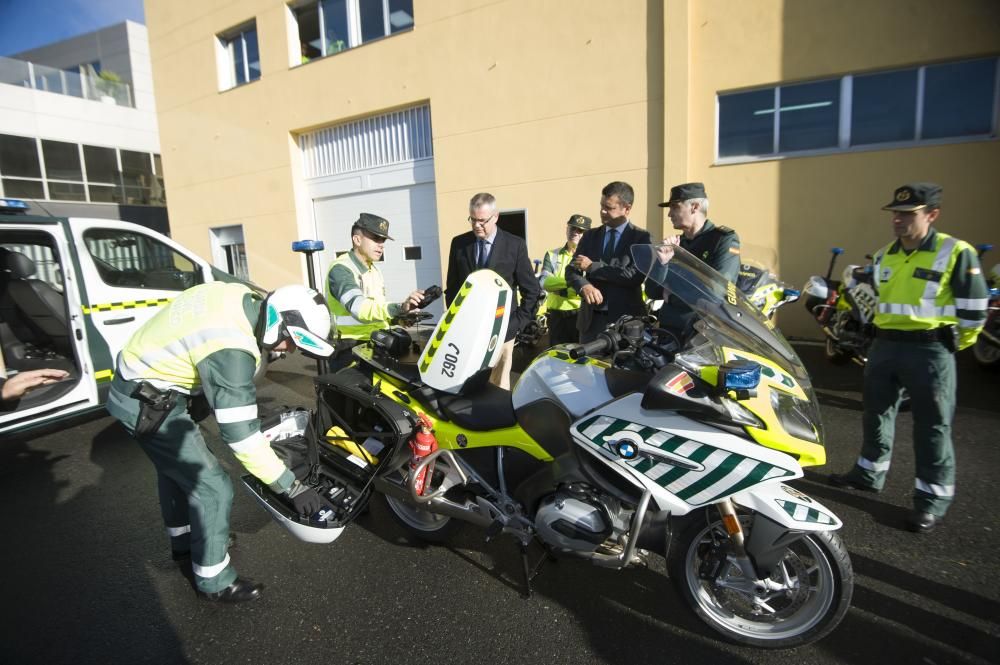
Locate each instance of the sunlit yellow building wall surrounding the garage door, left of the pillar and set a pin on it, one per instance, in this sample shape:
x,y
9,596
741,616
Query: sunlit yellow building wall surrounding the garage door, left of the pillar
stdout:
x,y
540,103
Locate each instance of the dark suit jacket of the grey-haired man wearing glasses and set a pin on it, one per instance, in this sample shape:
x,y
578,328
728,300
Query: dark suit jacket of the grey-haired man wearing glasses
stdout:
x,y
509,259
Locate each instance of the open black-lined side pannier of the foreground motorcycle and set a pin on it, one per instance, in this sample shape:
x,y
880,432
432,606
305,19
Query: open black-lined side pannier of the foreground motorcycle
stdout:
x,y
337,450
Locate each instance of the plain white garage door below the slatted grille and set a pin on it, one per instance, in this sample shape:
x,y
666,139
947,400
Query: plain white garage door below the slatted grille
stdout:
x,y
411,260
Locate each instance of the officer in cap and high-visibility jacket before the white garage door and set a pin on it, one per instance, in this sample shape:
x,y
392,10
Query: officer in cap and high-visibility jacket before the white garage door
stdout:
x,y
355,290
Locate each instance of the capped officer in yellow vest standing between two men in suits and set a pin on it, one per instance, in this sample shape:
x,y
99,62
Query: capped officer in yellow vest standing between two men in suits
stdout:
x,y
562,302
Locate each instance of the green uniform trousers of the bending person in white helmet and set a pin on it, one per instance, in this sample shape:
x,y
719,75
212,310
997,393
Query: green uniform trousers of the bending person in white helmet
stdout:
x,y
195,492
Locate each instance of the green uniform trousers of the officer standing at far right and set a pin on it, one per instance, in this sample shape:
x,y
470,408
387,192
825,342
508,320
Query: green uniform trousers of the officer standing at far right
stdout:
x,y
927,371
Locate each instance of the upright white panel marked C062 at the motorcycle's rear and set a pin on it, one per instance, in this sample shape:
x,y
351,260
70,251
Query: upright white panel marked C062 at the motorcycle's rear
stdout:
x,y
468,337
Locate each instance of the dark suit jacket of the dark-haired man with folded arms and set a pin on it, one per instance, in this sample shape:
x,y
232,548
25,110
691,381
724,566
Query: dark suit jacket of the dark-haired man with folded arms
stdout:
x,y
618,281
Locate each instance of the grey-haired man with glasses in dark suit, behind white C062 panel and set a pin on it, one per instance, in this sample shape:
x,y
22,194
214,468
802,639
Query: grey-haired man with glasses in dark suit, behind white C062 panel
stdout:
x,y
486,246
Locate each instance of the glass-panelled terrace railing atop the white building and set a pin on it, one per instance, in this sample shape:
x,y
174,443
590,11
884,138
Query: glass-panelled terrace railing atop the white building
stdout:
x,y
63,82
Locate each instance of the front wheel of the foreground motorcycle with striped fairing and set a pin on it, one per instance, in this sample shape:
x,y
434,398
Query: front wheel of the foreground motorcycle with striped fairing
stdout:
x,y
804,599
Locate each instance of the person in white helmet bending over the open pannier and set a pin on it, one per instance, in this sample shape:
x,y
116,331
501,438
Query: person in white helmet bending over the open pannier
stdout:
x,y
208,342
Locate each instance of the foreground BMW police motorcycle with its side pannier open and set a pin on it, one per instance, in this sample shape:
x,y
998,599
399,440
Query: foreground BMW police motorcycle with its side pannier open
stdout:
x,y
608,462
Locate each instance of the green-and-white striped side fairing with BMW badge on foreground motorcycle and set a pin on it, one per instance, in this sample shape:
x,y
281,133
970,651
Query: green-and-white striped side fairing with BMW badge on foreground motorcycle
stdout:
x,y
692,464
